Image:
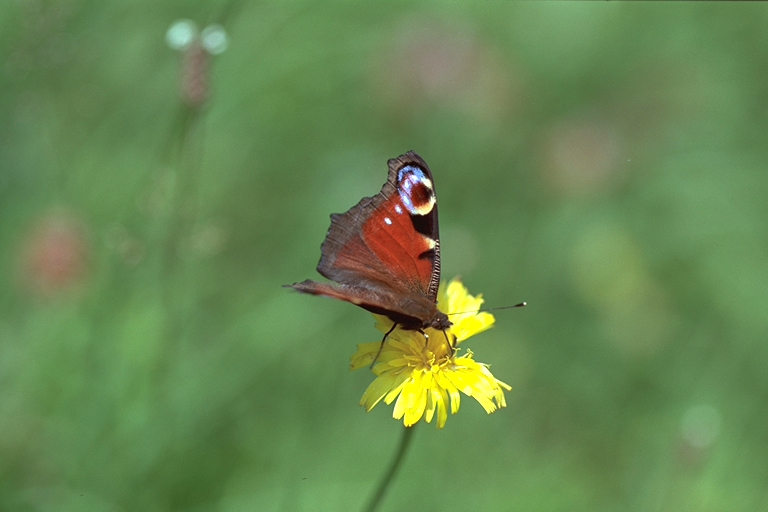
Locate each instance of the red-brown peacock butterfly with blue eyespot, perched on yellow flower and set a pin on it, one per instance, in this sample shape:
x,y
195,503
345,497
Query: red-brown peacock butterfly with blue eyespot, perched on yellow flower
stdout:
x,y
384,253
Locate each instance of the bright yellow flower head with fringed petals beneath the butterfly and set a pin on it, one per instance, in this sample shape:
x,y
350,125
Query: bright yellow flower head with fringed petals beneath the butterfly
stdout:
x,y
425,375
